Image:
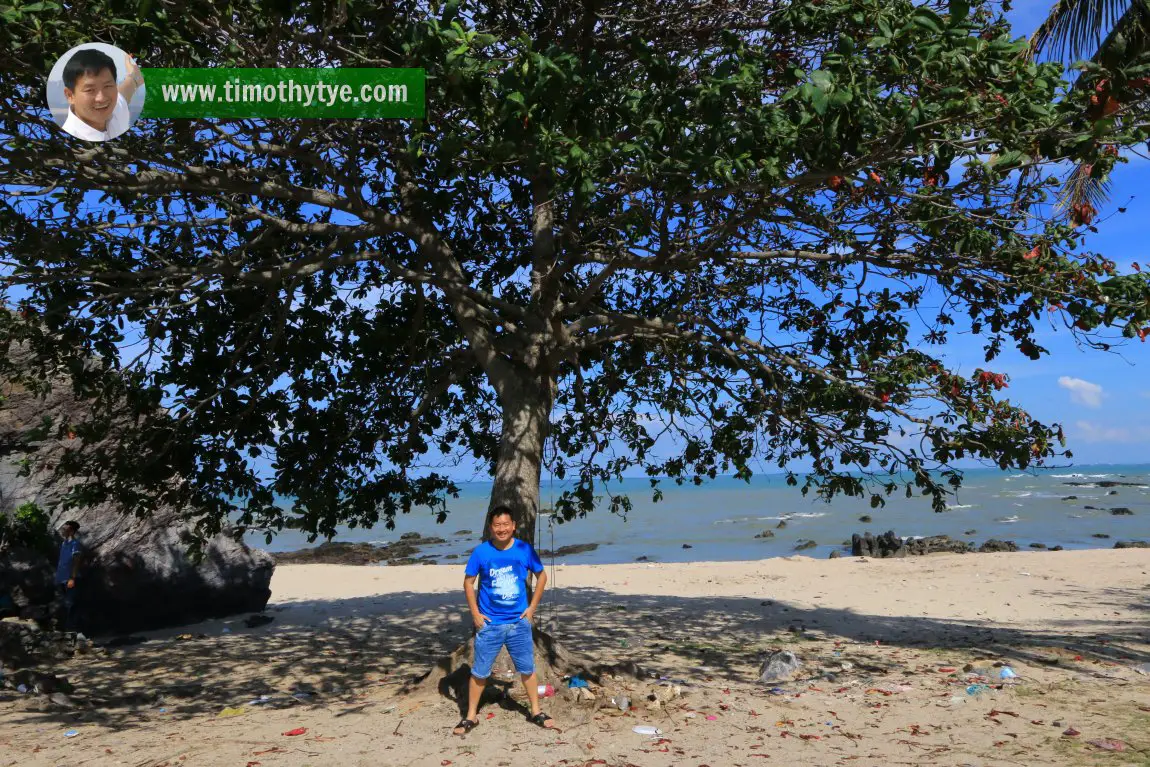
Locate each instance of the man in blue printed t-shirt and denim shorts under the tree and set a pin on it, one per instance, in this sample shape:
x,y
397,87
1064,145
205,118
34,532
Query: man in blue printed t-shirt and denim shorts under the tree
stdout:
x,y
502,613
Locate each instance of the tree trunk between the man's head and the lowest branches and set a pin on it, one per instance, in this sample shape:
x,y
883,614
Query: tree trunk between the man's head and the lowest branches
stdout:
x,y
526,420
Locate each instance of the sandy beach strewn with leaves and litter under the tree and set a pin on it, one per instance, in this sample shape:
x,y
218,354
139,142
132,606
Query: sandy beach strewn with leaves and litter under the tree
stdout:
x,y
886,647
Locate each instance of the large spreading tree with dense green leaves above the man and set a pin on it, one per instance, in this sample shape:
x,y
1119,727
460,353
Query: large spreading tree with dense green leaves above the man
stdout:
x,y
694,237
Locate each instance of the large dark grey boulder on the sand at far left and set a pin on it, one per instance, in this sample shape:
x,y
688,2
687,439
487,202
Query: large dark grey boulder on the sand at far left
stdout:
x,y
139,574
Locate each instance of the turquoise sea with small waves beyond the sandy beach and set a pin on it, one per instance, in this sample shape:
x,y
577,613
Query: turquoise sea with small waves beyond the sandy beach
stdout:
x,y
720,519
